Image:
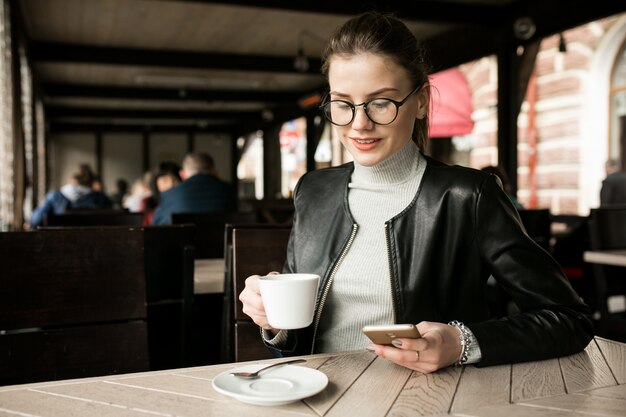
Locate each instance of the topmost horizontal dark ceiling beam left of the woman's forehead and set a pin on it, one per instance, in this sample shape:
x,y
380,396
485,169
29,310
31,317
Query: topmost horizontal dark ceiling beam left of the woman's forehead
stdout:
x,y
91,54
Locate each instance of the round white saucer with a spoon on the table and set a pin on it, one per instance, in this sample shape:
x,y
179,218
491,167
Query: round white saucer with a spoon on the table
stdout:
x,y
282,385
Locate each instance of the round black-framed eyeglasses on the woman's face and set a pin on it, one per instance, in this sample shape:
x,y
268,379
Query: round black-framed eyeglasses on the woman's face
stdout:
x,y
381,111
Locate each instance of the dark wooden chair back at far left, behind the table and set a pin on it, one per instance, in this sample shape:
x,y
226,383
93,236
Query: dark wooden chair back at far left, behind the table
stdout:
x,y
72,305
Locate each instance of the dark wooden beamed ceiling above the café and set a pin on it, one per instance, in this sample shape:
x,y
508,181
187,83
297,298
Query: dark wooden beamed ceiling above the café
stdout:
x,y
183,65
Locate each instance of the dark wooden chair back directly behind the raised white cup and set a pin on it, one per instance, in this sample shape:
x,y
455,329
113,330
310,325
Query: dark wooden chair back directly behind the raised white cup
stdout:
x,y
256,249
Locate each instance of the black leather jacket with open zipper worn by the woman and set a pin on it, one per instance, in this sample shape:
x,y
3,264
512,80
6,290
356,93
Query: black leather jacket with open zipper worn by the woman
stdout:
x,y
459,229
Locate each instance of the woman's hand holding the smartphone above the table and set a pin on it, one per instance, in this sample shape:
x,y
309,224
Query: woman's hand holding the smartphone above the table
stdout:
x,y
439,347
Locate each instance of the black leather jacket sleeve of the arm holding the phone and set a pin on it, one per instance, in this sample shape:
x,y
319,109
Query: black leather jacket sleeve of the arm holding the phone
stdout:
x,y
553,321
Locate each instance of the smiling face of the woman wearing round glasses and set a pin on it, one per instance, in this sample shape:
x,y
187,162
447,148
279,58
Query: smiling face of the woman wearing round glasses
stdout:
x,y
363,77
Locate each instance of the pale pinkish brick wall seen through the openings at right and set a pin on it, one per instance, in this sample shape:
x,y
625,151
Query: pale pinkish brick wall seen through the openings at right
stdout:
x,y
560,91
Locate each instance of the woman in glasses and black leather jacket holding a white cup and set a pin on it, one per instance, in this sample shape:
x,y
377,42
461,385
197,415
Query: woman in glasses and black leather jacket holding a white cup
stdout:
x,y
398,237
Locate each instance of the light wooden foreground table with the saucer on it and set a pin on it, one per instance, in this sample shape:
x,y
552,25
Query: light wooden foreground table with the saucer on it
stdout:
x,y
592,382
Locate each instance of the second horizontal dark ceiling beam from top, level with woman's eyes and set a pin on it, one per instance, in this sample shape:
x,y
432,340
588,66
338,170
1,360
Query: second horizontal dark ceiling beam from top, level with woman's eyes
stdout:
x,y
177,94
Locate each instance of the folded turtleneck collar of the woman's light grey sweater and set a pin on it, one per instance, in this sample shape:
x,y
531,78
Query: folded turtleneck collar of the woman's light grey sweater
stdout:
x,y
398,168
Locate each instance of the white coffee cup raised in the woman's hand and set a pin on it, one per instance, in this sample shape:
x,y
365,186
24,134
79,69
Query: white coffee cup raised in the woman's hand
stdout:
x,y
289,299
